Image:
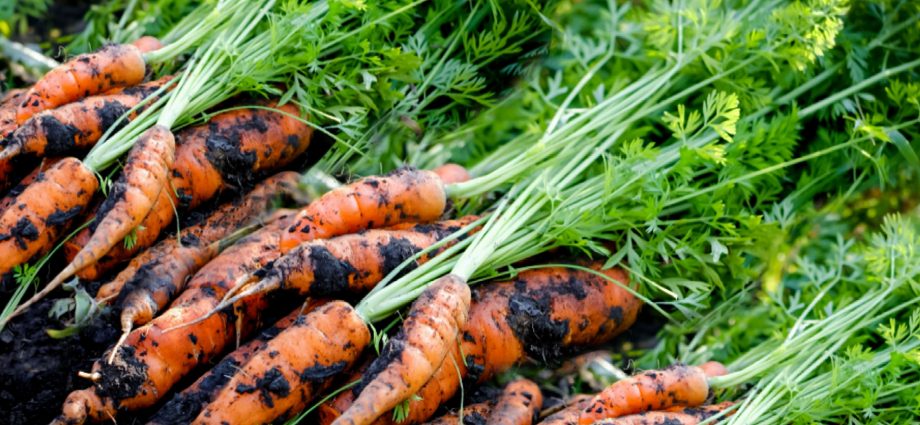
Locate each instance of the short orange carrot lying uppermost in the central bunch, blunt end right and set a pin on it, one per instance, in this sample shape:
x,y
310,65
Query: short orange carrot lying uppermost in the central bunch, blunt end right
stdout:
x,y
405,195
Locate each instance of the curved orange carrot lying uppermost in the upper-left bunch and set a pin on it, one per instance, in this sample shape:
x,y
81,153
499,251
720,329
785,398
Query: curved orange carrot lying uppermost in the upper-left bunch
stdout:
x,y
114,65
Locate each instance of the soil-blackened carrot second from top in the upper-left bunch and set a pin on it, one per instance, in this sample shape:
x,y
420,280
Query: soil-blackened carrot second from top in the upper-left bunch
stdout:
x,y
75,126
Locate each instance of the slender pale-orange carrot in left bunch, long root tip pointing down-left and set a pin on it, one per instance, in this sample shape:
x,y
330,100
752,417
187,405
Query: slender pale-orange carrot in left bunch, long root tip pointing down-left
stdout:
x,y
130,200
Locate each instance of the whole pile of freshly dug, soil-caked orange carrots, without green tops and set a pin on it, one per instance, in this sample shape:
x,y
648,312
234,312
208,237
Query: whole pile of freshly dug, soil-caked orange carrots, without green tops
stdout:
x,y
192,302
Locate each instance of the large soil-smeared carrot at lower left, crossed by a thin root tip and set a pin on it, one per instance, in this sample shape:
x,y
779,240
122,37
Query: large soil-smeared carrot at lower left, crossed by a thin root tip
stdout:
x,y
152,361
